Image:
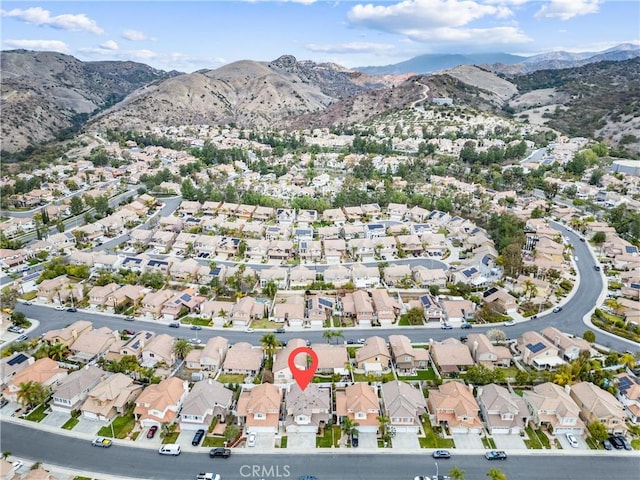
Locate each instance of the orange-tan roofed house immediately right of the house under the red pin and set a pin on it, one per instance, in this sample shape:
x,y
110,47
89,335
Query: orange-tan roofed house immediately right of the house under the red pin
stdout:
x,y
359,402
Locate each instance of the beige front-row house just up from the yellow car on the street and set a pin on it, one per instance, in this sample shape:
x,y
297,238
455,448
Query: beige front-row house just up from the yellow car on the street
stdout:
x,y
110,397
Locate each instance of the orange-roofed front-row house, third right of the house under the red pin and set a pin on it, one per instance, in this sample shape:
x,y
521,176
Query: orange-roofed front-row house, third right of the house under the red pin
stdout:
x,y
453,405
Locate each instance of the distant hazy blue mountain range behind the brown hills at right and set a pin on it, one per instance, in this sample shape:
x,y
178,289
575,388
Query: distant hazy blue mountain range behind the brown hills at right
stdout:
x,y
505,62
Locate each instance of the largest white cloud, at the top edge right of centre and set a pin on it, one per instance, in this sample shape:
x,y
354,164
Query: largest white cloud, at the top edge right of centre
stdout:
x,y
422,14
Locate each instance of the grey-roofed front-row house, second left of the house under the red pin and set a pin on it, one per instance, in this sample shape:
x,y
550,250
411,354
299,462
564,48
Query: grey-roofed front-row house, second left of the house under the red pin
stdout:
x,y
207,400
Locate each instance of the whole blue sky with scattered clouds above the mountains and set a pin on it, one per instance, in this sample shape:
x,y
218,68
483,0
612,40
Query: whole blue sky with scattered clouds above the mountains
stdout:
x,y
189,36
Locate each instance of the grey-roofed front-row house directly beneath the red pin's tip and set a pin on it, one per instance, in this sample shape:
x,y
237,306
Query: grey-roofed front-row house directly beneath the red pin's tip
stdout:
x,y
309,409
